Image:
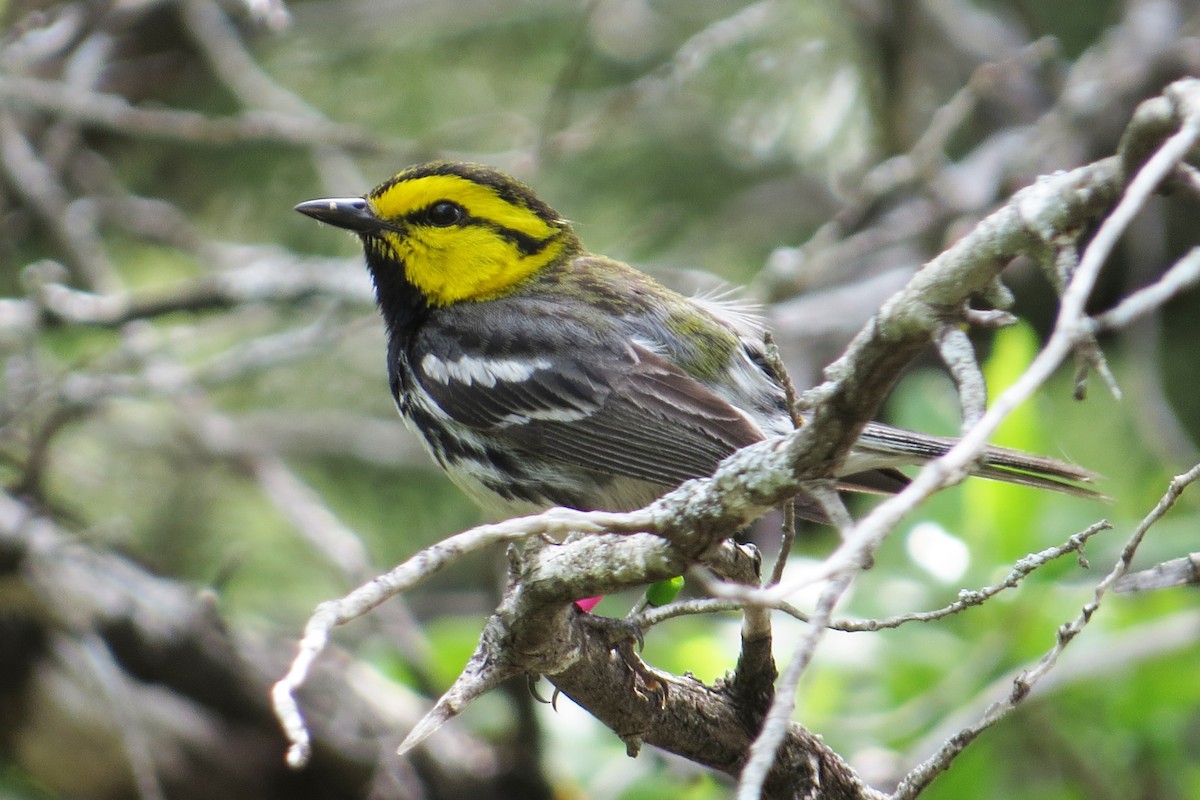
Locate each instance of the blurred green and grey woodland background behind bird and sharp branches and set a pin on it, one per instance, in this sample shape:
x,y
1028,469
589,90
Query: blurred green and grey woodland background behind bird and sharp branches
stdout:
x,y
199,446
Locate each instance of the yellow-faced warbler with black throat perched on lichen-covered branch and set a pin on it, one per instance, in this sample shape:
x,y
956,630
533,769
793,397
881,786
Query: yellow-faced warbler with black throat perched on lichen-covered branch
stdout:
x,y
539,375
